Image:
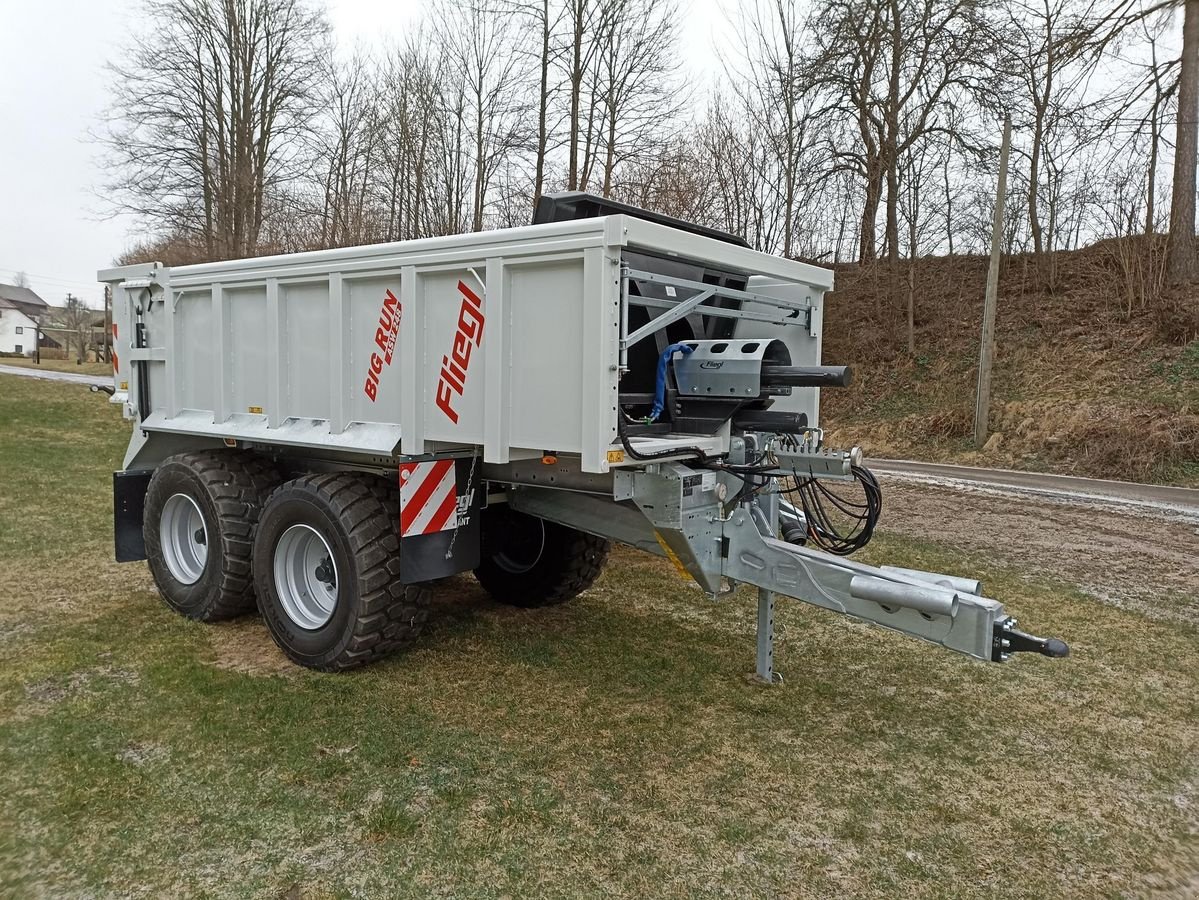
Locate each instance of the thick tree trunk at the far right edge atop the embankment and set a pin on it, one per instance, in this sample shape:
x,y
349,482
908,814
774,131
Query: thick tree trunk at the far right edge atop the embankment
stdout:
x,y
1182,262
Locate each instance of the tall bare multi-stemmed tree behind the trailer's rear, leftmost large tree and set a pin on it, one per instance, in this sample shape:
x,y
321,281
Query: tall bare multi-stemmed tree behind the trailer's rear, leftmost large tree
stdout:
x,y
202,136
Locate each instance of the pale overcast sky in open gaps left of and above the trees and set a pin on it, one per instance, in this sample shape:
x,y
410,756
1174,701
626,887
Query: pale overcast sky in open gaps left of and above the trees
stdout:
x,y
53,89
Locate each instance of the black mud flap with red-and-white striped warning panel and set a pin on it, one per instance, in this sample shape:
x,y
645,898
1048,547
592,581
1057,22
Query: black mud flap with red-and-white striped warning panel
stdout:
x,y
441,505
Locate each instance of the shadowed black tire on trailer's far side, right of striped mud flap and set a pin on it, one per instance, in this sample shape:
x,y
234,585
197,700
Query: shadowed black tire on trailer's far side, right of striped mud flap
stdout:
x,y
532,563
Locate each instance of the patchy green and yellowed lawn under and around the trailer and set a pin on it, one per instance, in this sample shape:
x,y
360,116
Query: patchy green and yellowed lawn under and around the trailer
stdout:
x,y
611,747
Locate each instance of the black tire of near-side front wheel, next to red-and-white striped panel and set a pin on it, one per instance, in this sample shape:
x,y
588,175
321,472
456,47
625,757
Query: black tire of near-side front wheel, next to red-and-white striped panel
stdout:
x,y
357,517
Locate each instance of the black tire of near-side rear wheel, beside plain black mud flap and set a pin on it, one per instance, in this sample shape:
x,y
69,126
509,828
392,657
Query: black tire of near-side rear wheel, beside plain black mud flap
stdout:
x,y
228,490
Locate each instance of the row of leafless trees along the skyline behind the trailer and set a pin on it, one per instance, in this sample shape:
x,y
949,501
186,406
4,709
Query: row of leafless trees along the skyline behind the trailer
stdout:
x,y
841,130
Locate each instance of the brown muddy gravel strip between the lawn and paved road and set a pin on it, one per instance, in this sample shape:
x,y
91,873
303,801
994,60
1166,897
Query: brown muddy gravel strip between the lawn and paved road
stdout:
x,y
1137,559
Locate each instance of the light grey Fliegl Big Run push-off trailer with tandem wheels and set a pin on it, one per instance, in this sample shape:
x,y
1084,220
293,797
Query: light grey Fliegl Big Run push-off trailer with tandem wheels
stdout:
x,y
327,433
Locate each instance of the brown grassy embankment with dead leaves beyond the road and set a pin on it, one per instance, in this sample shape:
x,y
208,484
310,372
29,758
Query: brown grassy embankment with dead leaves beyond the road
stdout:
x,y
1089,379
